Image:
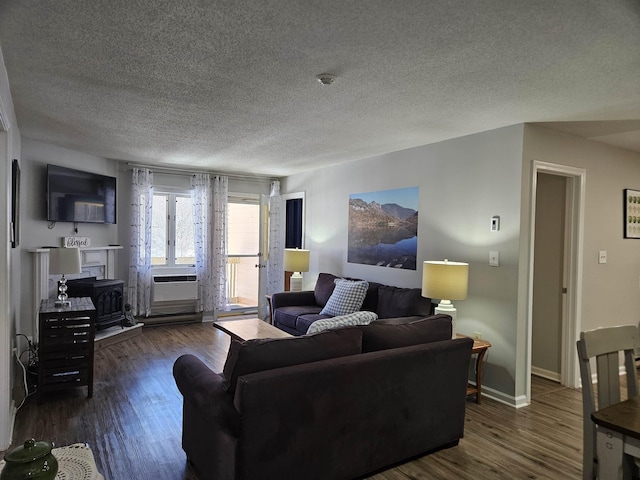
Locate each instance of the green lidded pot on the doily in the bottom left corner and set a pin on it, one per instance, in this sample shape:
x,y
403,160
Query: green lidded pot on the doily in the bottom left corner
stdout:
x,y
31,461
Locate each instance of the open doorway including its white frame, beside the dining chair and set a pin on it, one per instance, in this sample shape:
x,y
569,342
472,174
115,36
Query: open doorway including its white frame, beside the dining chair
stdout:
x,y
564,266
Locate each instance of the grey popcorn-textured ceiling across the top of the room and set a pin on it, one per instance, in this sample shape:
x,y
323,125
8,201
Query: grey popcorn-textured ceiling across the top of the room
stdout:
x,y
230,86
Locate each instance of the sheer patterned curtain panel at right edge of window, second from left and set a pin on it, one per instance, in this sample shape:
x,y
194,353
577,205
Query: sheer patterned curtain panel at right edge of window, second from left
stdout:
x,y
201,195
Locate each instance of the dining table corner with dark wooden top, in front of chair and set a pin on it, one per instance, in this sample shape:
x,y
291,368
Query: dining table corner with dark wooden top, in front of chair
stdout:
x,y
618,439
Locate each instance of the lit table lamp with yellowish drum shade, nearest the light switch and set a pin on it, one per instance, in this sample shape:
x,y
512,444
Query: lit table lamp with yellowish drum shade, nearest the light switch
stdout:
x,y
446,281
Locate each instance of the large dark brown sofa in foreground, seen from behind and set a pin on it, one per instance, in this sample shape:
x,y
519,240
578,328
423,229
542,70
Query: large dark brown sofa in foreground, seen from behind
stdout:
x,y
341,417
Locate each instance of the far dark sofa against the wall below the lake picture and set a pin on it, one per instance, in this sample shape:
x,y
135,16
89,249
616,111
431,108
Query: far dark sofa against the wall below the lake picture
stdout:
x,y
294,312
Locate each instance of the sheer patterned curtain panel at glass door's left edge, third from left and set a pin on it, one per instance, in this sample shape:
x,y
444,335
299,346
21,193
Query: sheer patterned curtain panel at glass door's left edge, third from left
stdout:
x,y
219,224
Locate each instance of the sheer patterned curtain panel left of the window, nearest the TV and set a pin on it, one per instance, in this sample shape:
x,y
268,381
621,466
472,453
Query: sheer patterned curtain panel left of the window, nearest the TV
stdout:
x,y
140,275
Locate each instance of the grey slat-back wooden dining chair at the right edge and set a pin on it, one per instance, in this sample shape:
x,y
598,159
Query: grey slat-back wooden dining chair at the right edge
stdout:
x,y
604,344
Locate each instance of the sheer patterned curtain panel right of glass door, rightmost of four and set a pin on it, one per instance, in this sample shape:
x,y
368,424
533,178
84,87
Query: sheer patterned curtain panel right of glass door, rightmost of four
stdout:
x,y
275,259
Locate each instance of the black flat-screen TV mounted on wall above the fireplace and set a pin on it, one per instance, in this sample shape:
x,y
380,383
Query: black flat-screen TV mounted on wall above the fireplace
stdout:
x,y
78,196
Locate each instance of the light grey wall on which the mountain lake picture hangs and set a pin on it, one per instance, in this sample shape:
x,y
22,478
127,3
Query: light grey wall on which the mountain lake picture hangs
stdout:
x,y
463,183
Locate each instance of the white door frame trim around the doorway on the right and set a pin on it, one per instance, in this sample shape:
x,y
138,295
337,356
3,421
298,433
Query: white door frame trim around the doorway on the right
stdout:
x,y
571,324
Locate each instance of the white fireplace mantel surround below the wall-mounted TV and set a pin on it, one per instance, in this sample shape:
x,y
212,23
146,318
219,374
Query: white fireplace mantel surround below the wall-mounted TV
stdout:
x,y
101,258
